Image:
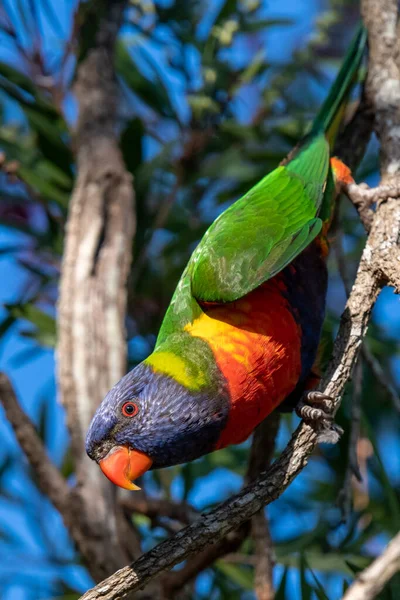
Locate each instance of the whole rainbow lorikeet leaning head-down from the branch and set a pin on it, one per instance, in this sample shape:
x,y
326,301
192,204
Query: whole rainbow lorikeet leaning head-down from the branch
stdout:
x,y
241,333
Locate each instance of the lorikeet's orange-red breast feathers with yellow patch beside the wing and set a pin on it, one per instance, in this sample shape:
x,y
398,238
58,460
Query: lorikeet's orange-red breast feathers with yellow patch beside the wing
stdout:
x,y
256,343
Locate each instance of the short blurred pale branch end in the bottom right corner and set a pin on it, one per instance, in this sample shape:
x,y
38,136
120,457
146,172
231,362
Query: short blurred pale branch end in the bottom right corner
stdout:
x,y
372,580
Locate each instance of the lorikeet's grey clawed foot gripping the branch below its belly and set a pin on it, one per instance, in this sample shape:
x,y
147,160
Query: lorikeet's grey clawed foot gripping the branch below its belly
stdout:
x,y
316,407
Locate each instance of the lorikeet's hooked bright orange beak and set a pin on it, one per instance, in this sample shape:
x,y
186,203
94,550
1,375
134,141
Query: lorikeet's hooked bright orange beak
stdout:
x,y
122,465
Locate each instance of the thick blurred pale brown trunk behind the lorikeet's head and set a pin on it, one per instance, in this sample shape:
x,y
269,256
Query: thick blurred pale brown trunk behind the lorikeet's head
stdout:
x,y
91,349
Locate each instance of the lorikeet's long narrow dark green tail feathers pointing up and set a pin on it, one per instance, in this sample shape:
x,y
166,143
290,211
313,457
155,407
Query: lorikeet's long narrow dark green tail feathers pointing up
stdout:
x,y
331,113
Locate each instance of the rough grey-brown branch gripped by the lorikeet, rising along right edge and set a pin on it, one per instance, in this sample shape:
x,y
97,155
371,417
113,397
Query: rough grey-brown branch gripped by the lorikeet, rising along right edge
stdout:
x,y
379,265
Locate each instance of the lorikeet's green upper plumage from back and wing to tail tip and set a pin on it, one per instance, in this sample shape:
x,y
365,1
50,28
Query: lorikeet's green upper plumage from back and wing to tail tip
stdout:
x,y
261,233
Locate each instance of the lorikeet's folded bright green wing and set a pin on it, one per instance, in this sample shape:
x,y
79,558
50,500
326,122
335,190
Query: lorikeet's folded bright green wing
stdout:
x,y
265,230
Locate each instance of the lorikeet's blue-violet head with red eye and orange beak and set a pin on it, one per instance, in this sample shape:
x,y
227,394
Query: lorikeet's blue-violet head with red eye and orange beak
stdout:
x,y
149,420
